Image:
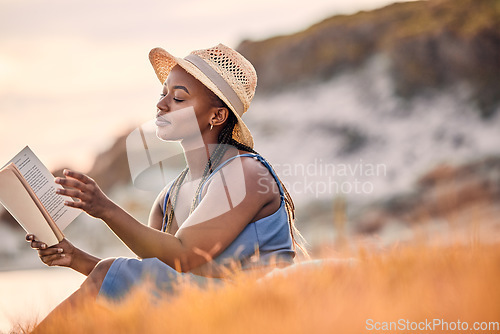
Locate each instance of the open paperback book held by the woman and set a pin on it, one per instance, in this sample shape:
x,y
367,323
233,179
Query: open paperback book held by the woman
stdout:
x,y
28,192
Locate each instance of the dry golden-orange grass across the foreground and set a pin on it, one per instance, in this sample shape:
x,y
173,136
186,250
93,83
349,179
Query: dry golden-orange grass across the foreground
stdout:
x,y
414,283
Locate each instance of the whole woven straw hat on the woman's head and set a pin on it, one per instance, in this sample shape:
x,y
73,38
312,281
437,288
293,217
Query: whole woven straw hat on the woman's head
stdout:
x,y
222,70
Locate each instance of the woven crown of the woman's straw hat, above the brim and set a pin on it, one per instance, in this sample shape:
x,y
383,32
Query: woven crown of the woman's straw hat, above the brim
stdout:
x,y
235,69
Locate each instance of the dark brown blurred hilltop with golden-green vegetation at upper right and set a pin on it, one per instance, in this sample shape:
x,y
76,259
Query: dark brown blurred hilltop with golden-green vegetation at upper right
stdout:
x,y
430,44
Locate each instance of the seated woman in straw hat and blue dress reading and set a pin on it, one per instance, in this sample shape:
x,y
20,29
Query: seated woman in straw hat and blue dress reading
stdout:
x,y
227,205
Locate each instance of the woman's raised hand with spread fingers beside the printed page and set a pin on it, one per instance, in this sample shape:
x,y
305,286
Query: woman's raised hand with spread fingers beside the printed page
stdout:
x,y
90,197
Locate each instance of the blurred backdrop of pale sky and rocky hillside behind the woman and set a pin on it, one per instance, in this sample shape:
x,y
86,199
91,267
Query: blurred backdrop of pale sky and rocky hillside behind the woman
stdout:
x,y
381,118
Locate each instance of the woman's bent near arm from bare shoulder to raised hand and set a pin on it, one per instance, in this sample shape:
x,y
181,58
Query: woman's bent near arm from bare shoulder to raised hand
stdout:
x,y
215,223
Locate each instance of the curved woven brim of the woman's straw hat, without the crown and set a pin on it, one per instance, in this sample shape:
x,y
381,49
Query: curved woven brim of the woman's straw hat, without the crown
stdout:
x,y
163,62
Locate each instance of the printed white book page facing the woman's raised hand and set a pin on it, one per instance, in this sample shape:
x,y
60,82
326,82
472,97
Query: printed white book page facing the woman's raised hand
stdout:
x,y
42,182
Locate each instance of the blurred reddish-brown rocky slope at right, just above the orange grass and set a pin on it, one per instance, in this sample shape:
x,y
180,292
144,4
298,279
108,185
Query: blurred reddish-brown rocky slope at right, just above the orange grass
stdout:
x,y
468,194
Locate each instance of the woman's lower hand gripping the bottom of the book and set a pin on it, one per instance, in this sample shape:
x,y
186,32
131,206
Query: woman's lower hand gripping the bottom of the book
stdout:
x,y
61,254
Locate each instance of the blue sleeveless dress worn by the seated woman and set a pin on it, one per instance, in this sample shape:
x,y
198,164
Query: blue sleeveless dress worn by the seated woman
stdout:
x,y
269,235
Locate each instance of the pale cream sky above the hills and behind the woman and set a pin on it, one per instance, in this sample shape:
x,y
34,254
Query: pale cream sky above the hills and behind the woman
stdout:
x,y
75,74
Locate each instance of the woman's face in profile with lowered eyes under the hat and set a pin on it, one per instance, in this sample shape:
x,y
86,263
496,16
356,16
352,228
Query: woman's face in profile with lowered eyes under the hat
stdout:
x,y
185,108
